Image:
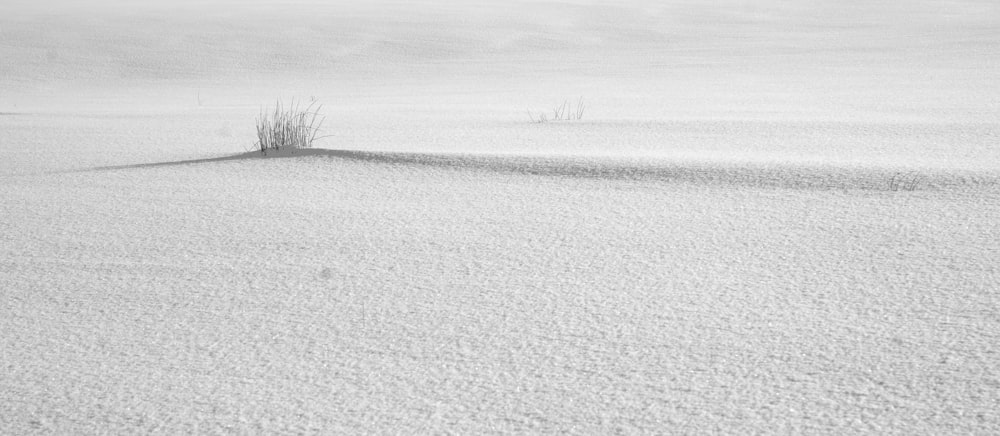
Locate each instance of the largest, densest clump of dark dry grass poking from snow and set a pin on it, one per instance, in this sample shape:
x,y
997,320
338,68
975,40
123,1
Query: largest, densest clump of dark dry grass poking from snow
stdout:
x,y
293,126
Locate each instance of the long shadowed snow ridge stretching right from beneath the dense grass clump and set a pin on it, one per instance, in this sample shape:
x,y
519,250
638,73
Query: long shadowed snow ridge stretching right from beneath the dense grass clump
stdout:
x,y
734,173
